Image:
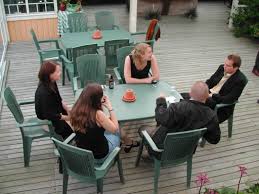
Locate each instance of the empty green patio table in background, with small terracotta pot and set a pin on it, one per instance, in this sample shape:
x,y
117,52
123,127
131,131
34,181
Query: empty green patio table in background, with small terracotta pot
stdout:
x,y
75,39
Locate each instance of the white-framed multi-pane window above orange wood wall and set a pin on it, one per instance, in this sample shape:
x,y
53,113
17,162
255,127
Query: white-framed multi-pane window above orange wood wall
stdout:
x,y
25,7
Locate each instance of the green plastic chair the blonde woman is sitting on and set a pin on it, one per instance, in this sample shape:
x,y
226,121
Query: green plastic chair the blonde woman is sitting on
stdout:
x,y
122,53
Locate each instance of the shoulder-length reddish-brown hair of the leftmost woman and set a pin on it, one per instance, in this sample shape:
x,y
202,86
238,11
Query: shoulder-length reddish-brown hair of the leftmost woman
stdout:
x,y
46,69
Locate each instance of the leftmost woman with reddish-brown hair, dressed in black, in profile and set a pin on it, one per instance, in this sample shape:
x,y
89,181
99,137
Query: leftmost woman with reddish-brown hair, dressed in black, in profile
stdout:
x,y
48,102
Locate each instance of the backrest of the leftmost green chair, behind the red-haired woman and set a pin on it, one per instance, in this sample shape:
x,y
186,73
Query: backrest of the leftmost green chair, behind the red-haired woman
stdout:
x,y
13,105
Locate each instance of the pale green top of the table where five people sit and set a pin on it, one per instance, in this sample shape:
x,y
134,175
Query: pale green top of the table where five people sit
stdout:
x,y
144,105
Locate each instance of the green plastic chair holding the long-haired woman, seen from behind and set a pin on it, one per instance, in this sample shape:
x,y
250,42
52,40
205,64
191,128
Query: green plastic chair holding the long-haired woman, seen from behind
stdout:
x,y
80,164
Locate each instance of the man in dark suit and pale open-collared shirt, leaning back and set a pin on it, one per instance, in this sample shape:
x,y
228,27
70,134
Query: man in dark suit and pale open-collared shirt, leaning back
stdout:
x,y
226,86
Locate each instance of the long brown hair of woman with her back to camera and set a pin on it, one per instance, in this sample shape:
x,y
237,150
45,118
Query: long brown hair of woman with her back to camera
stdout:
x,y
83,113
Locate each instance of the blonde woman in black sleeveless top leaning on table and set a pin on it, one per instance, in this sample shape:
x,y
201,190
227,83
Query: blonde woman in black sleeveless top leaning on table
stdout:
x,y
138,64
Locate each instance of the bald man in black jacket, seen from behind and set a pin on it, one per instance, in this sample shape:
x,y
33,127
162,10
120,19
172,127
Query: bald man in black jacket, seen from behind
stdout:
x,y
185,115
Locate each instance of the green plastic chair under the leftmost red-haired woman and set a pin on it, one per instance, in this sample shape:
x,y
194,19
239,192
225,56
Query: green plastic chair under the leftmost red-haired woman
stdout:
x,y
31,128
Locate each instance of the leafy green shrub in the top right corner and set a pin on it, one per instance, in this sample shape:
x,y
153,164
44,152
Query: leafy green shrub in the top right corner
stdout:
x,y
246,19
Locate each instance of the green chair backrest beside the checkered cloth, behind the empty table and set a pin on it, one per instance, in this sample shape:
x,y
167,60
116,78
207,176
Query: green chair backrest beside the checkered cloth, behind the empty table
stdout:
x,y
77,22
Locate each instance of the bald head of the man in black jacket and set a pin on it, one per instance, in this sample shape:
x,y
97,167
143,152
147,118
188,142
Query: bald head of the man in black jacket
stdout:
x,y
199,91
